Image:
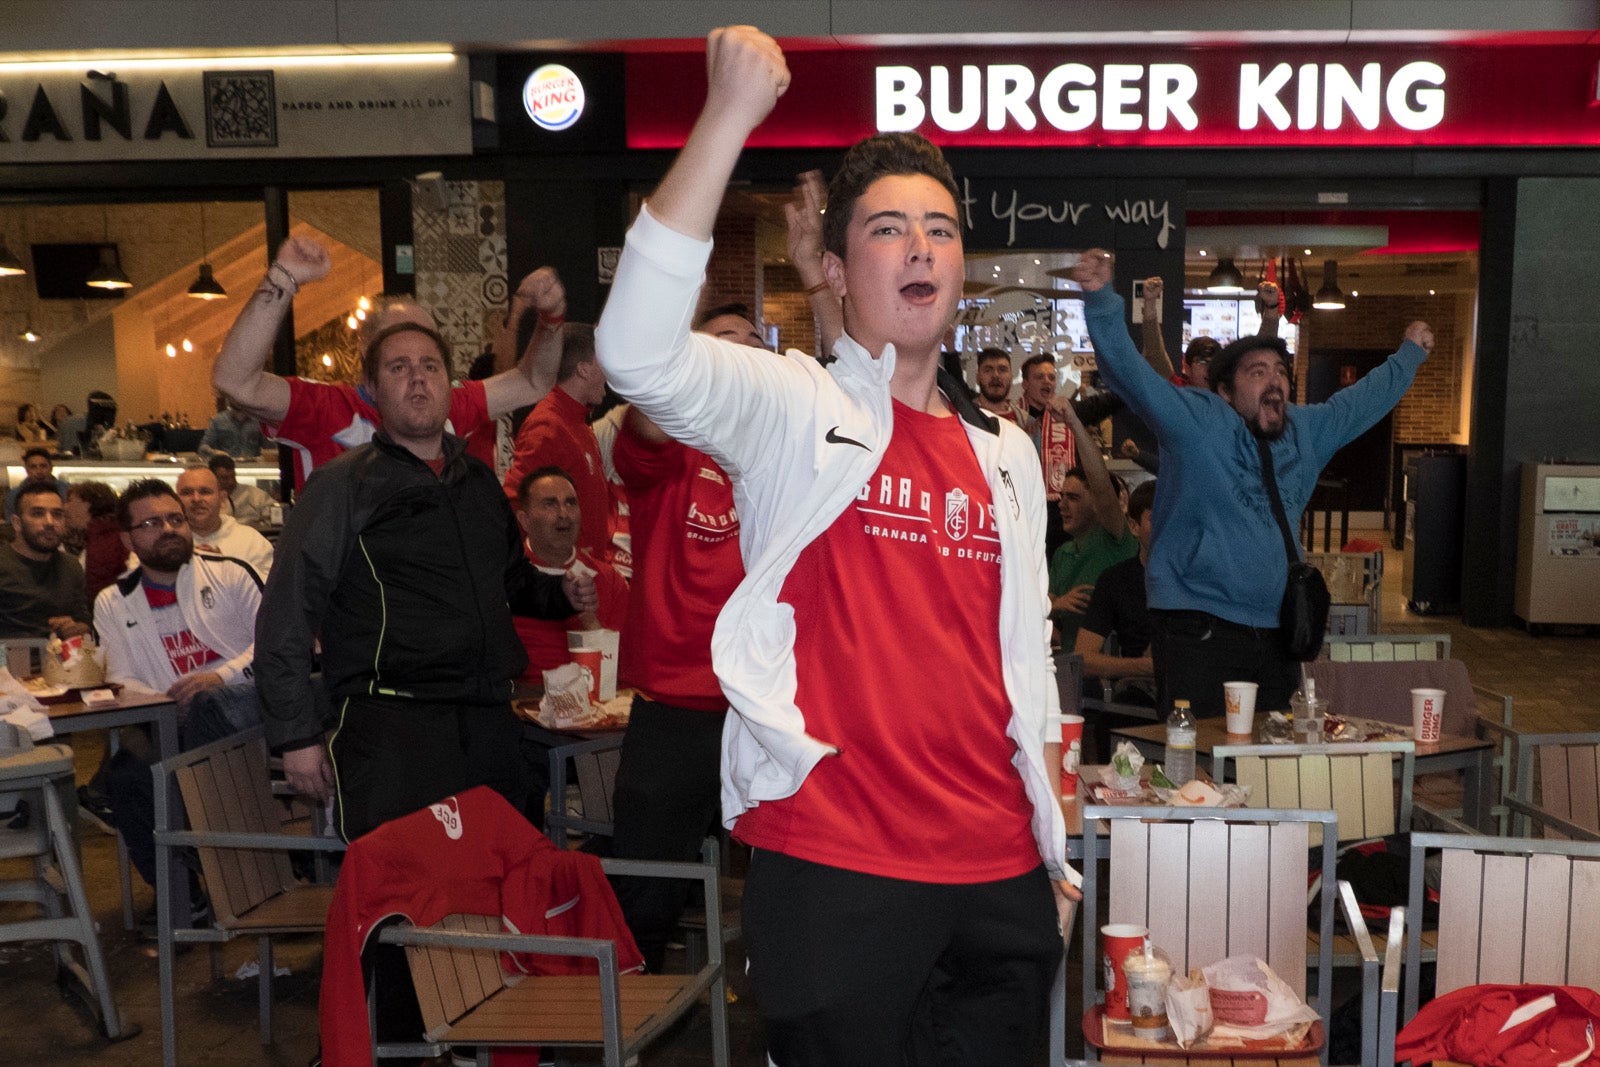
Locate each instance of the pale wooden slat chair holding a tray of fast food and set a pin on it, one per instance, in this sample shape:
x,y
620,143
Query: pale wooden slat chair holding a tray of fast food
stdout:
x,y
1212,884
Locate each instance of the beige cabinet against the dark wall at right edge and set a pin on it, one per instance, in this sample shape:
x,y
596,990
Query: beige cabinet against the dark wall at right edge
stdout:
x,y
1559,545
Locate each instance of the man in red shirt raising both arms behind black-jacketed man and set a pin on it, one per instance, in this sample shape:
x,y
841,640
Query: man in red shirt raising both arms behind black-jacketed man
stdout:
x,y
322,420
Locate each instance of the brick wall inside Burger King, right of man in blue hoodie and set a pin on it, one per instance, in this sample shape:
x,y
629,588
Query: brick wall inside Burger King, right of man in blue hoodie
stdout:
x,y
1433,409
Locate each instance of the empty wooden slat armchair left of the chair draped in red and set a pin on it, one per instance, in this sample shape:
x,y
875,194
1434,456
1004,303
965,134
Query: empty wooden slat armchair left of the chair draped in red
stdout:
x,y
238,829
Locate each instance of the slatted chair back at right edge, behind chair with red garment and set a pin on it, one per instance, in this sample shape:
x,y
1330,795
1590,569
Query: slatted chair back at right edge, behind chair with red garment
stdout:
x,y
1562,796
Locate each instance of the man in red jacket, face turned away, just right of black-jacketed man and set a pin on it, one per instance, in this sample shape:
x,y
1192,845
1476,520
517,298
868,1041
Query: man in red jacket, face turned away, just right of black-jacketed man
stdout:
x,y
558,434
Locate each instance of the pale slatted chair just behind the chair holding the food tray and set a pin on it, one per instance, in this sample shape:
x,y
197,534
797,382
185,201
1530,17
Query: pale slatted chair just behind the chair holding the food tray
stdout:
x,y
1358,781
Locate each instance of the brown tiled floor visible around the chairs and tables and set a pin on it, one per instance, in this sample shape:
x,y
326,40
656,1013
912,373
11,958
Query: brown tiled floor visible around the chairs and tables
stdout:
x,y
1556,684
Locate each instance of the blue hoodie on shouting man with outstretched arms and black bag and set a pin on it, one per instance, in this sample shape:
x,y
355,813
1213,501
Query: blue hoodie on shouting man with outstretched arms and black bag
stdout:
x,y
1218,548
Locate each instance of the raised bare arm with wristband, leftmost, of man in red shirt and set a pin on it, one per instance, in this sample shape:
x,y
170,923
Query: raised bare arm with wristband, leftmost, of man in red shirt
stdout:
x,y
241,372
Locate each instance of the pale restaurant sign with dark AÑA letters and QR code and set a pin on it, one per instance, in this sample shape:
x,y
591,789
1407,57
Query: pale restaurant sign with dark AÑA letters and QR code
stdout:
x,y
191,110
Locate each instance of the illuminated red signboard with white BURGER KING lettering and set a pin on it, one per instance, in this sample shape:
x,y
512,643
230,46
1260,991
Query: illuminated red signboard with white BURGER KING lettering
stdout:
x,y
1290,97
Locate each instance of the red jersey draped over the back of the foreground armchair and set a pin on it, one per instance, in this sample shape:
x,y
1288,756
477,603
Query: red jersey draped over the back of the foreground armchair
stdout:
x,y
471,855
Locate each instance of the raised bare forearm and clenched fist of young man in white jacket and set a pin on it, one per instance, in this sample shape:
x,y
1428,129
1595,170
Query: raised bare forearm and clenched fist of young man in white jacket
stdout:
x,y
746,74
